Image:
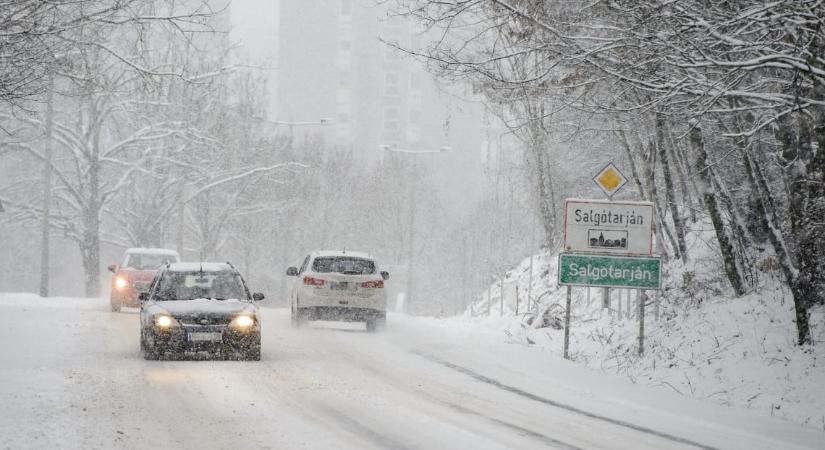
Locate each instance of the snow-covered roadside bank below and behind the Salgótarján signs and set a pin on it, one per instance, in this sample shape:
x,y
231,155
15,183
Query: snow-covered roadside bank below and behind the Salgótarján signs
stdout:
x,y
707,343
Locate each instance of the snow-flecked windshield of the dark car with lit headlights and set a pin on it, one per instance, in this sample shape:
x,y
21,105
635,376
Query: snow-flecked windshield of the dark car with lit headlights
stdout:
x,y
191,285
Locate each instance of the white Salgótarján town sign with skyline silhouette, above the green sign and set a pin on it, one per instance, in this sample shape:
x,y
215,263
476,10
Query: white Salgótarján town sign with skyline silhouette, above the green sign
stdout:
x,y
617,228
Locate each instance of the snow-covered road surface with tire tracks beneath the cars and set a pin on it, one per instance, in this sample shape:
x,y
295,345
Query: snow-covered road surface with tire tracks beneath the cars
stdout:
x,y
72,377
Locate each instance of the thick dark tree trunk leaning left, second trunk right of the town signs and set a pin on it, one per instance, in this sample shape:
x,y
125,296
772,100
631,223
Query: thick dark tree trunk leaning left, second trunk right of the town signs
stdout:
x,y
709,197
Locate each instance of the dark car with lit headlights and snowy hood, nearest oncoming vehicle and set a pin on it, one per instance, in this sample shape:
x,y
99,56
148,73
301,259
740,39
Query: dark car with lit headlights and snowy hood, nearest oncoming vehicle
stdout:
x,y
197,308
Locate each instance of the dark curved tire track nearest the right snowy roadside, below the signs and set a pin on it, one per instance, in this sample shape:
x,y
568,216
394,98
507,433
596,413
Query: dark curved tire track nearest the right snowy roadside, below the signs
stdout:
x,y
477,376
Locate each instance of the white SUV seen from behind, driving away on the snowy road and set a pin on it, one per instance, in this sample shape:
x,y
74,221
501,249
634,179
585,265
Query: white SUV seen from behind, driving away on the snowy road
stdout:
x,y
341,286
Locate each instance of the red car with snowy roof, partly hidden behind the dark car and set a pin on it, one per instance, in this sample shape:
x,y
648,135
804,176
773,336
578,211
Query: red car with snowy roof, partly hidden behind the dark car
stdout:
x,y
135,273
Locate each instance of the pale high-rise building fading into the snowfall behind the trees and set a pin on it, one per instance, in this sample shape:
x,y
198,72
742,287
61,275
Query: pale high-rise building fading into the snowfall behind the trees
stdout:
x,y
334,61
